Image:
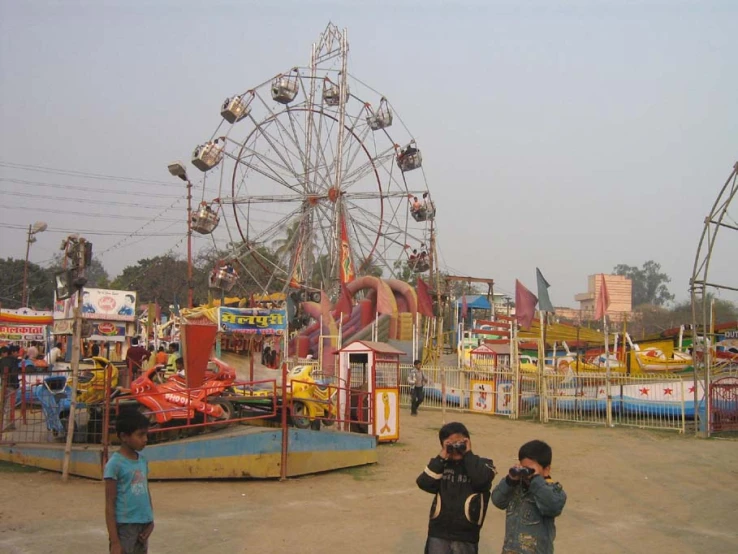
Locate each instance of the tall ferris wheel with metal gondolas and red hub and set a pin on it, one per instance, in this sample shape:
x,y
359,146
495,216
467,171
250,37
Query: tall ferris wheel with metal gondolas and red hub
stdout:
x,y
318,177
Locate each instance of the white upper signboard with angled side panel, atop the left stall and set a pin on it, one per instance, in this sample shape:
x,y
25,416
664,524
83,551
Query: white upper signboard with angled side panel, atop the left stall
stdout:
x,y
100,304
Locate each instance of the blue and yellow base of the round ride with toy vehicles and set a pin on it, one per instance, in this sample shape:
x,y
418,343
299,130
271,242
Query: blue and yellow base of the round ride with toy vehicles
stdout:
x,y
243,452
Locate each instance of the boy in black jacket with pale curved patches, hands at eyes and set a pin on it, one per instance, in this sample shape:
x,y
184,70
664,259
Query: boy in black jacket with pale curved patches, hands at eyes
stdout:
x,y
461,482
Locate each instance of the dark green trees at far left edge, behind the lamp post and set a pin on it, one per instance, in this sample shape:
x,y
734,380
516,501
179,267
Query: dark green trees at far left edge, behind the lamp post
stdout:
x,y
40,285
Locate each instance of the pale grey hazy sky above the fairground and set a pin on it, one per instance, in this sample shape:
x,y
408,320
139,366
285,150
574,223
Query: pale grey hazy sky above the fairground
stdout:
x,y
568,135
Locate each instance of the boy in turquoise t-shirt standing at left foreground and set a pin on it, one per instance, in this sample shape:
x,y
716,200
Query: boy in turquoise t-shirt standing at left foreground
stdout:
x,y
129,514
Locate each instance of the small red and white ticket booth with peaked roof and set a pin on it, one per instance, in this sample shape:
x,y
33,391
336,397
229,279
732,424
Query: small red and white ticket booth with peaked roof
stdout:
x,y
370,388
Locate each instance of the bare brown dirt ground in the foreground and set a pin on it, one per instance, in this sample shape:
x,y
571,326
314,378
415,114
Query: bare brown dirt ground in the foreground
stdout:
x,y
630,491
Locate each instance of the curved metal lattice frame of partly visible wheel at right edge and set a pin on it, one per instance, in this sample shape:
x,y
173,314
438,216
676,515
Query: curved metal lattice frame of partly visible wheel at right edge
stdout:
x,y
701,284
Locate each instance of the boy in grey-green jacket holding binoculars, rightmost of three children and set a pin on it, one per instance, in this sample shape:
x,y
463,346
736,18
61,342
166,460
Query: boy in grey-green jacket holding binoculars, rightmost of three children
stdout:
x,y
532,501
